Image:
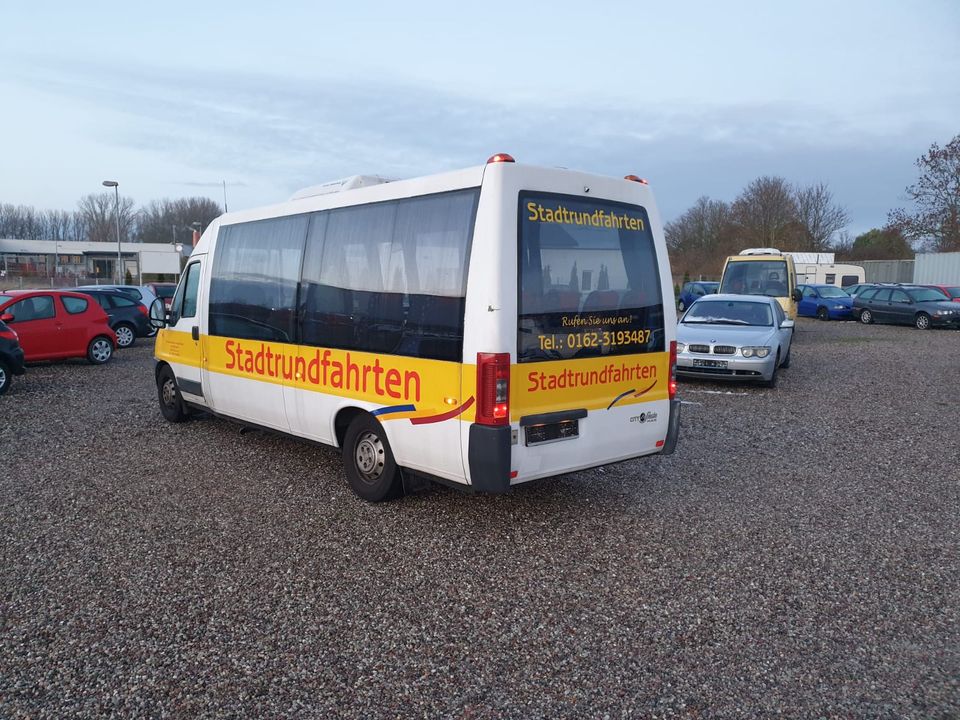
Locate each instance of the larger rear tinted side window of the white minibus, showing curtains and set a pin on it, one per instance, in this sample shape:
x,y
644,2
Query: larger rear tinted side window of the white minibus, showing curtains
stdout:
x,y
390,277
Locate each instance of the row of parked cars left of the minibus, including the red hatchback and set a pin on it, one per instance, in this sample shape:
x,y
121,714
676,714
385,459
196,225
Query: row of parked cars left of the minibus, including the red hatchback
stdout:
x,y
85,322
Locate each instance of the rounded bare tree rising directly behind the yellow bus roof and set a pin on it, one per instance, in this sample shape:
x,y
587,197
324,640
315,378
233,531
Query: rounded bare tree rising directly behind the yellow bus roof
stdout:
x,y
766,213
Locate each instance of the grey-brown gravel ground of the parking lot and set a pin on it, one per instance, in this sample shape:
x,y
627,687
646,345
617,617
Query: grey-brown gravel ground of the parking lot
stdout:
x,y
798,556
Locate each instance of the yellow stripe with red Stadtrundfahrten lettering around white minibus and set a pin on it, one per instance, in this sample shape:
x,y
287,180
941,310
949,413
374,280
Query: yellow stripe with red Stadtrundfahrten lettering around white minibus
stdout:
x,y
409,388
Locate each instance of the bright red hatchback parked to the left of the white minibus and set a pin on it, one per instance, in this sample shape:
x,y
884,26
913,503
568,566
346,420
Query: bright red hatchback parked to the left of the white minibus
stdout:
x,y
54,324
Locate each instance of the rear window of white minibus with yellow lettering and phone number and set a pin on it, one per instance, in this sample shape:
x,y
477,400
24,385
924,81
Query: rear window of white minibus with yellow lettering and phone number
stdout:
x,y
589,279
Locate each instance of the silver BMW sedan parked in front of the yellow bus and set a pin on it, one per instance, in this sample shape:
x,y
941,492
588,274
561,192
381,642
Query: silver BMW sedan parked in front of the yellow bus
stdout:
x,y
734,337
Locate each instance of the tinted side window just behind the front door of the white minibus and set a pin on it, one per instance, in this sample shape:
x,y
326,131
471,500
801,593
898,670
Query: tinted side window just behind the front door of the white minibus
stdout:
x,y
256,269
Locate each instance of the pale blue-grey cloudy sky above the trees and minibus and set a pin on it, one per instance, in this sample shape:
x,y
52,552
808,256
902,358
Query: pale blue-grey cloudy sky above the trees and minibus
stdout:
x,y
699,97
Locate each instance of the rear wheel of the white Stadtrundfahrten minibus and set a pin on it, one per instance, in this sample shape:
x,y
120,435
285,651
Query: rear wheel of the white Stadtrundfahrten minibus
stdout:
x,y
368,461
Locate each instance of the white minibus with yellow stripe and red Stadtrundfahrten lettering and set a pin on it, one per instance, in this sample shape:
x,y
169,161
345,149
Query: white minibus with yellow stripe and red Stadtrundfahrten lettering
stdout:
x,y
483,327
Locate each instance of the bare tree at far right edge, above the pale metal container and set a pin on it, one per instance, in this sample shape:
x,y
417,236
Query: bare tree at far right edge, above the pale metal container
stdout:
x,y
935,220
